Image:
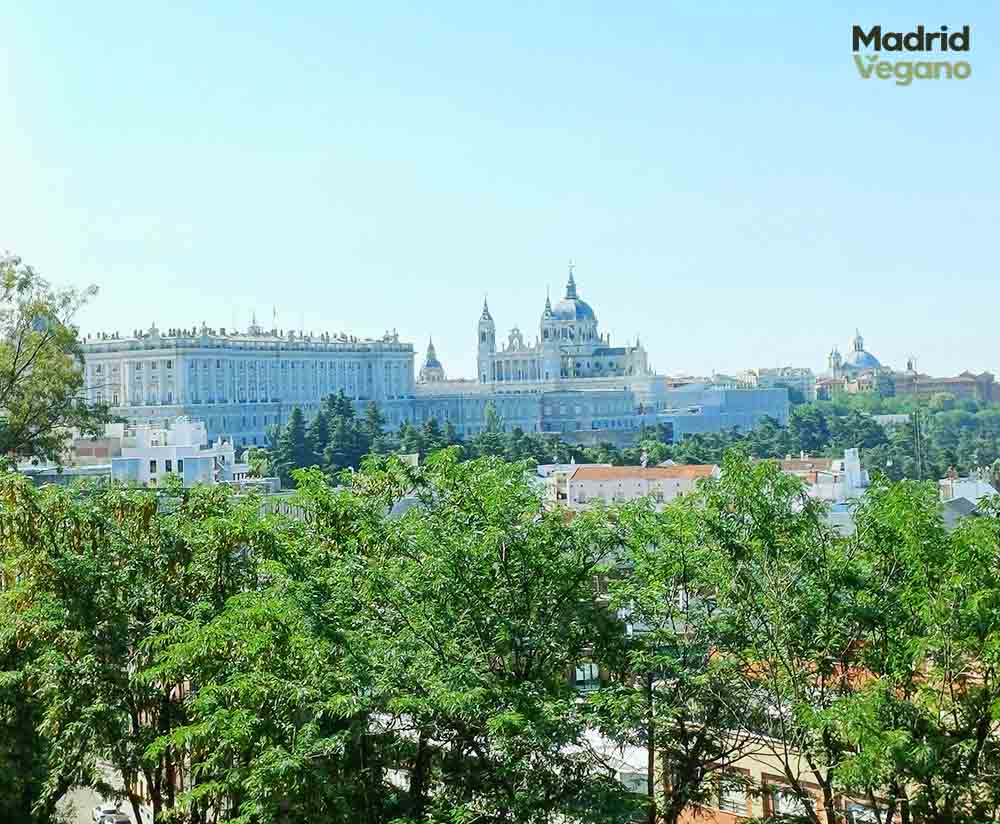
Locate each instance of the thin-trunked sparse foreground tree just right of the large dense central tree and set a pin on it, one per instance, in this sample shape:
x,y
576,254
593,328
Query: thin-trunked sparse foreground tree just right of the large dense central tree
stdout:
x,y
670,693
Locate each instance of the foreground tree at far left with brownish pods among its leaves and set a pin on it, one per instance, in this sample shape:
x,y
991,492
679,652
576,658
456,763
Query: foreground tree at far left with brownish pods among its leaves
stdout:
x,y
67,554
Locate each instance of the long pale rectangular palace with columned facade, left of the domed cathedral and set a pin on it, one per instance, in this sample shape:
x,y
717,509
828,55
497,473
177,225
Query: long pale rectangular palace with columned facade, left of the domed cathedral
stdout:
x,y
242,384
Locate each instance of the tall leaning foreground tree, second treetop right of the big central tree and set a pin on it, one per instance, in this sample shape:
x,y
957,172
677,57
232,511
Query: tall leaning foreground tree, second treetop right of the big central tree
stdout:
x,y
789,593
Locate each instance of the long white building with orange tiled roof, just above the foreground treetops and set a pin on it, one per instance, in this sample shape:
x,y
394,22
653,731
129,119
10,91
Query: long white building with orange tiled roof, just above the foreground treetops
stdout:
x,y
590,484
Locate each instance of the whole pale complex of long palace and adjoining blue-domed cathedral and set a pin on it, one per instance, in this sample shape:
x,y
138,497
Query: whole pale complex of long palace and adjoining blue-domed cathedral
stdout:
x,y
570,381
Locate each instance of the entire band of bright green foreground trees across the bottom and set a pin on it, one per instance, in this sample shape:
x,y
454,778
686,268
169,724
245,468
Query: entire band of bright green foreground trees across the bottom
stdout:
x,y
375,663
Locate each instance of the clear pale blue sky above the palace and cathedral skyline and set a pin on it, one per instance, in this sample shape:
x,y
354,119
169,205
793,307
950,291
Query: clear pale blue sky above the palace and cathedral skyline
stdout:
x,y
728,186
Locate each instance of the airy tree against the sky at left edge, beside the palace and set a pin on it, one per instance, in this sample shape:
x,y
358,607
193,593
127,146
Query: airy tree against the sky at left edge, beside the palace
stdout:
x,y
41,365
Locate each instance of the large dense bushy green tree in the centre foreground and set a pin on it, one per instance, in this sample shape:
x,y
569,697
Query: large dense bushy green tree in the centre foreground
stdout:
x,y
477,604
